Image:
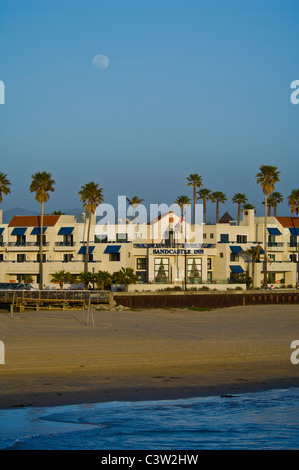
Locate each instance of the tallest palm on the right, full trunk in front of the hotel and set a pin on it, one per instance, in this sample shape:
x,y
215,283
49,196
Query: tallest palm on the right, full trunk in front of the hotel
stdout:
x,y
267,177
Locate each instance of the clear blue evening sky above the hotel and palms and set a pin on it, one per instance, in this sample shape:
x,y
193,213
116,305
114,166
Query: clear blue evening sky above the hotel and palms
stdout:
x,y
190,86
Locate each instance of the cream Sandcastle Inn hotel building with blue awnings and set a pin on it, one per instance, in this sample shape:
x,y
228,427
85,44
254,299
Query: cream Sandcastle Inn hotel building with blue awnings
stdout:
x,y
158,252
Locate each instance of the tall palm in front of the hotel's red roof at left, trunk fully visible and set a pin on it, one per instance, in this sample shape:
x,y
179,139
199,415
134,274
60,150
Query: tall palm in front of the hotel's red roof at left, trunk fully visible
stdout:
x,y
41,184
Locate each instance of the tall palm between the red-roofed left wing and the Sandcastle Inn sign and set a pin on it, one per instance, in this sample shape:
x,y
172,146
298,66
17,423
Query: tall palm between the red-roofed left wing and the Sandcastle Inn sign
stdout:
x,y
91,196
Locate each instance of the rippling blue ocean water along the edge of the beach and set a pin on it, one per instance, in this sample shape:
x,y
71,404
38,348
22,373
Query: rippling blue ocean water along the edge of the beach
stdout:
x,y
253,421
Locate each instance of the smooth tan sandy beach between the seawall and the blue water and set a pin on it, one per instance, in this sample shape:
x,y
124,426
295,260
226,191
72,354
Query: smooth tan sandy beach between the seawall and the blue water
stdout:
x,y
54,358
